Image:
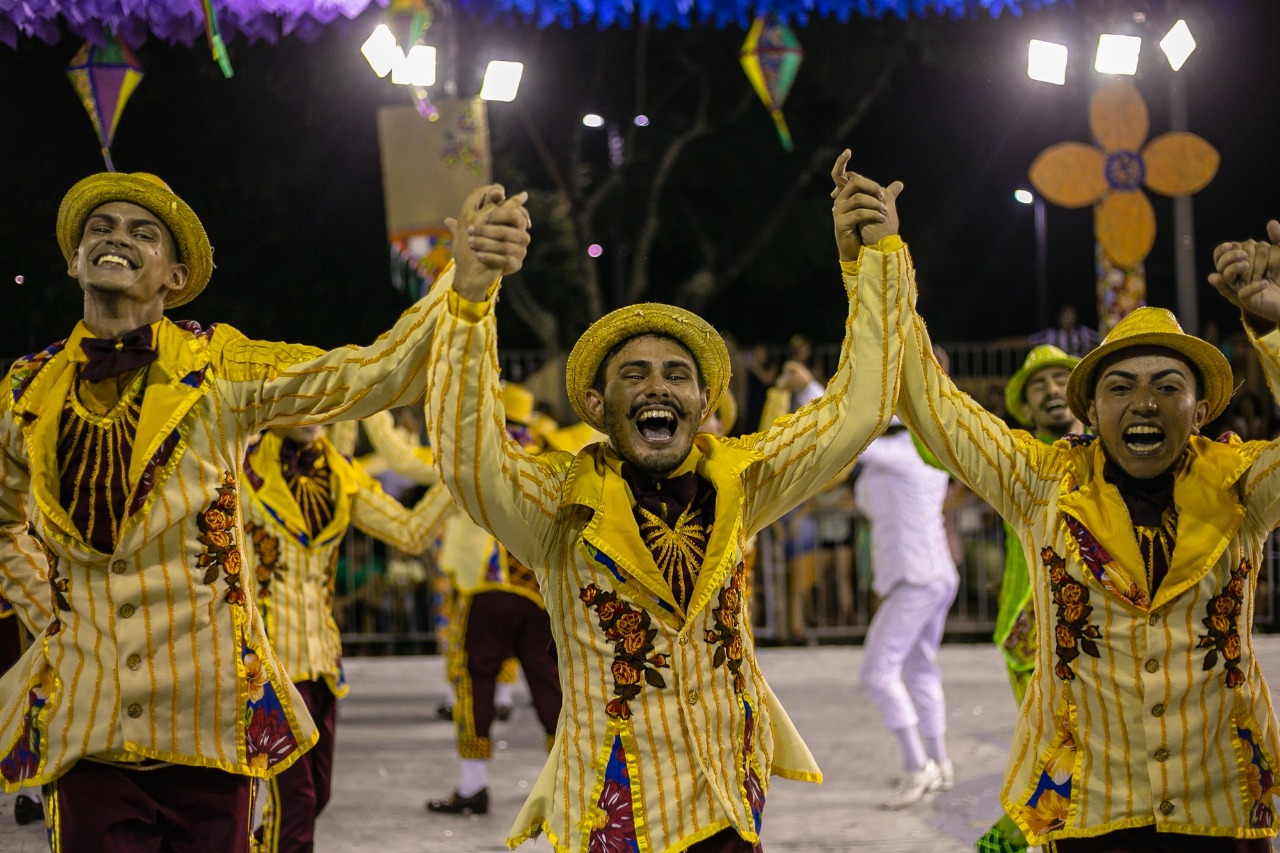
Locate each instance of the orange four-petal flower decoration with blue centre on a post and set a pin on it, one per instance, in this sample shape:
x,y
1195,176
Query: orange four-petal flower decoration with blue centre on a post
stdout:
x,y
1110,177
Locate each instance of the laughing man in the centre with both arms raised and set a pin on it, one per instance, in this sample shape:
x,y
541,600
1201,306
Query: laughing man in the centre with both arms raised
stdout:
x,y
669,732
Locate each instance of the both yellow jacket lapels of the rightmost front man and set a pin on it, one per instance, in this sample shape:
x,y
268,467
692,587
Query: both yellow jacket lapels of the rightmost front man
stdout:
x,y
1206,498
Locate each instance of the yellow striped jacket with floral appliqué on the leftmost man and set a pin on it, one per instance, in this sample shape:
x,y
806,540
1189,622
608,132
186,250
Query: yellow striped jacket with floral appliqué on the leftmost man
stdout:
x,y
157,650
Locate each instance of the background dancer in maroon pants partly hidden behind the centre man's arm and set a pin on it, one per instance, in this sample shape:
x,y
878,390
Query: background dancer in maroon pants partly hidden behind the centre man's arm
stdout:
x,y
499,614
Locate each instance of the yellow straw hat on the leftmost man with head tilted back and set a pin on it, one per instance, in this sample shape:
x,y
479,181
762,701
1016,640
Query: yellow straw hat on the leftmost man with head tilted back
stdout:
x,y
147,191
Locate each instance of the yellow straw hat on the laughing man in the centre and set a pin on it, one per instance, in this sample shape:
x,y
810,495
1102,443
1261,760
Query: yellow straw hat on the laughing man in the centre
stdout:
x,y
636,321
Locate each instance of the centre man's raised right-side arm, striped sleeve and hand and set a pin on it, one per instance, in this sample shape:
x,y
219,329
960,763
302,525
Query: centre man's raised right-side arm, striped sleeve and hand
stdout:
x,y
803,451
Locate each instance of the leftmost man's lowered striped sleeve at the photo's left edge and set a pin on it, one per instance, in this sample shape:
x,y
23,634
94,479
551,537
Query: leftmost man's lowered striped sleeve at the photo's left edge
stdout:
x,y
24,565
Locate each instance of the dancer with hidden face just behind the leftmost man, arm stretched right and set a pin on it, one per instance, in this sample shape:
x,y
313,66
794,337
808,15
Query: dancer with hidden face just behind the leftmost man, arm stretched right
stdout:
x,y
301,496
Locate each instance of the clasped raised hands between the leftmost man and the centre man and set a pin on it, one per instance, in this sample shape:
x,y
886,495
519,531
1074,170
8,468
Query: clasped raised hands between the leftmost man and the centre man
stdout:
x,y
491,239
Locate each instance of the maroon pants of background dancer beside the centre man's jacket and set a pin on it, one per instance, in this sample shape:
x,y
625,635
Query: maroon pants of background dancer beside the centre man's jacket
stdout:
x,y
502,626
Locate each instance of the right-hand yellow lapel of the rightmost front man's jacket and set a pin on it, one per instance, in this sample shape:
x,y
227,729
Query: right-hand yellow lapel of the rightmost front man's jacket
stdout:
x,y
1209,509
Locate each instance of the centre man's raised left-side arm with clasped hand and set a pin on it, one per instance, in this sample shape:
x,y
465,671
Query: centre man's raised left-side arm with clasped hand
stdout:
x,y
509,492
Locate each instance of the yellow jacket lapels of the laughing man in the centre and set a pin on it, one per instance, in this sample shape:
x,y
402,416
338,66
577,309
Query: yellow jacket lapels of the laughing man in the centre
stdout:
x,y
596,483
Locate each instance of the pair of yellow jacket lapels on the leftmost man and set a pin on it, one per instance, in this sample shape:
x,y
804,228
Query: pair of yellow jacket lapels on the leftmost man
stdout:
x,y
176,381
